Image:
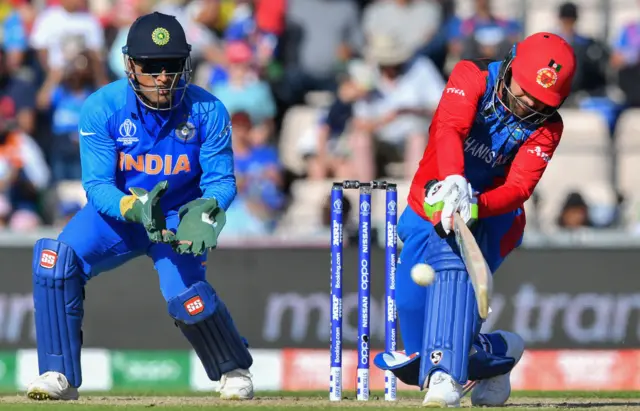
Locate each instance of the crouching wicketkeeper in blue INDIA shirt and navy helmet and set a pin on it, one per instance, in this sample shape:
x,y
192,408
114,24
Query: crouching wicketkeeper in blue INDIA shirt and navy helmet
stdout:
x,y
157,168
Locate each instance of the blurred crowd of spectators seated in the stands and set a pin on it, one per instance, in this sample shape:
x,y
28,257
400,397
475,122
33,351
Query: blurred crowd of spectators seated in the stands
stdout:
x,y
374,69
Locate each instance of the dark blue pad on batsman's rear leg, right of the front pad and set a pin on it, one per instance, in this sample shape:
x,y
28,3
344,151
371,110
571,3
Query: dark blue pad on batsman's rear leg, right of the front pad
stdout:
x,y
489,358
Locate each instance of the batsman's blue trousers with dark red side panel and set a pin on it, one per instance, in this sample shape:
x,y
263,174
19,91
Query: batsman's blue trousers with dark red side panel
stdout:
x,y
496,236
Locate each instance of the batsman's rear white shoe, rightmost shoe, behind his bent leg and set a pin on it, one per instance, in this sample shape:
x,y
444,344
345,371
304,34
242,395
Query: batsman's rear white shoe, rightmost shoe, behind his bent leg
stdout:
x,y
495,391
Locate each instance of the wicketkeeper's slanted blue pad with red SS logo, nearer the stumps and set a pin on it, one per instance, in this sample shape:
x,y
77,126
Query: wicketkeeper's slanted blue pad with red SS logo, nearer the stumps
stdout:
x,y
206,323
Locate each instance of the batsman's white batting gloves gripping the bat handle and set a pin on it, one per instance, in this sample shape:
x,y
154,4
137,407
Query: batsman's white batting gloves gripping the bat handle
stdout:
x,y
446,197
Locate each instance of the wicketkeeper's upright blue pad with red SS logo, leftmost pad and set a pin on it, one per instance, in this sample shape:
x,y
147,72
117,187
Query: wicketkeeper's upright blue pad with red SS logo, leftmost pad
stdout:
x,y
58,297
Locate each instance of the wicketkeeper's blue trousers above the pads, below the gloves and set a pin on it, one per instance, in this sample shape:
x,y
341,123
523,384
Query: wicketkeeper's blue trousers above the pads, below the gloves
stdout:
x,y
103,243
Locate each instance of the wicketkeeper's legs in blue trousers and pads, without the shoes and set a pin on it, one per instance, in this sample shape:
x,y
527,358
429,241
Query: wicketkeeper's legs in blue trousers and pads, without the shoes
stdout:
x,y
92,243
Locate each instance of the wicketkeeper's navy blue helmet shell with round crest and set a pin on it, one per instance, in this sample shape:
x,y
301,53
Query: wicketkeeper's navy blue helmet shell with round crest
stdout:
x,y
156,36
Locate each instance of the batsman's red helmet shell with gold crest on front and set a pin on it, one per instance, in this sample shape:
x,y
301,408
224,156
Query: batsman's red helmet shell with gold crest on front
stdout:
x,y
544,65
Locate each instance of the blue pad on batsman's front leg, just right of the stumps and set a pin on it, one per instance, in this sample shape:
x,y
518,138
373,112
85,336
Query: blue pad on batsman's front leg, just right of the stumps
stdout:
x,y
451,325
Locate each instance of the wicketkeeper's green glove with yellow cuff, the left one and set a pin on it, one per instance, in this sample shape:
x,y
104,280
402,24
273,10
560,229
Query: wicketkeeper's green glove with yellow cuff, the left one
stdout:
x,y
143,207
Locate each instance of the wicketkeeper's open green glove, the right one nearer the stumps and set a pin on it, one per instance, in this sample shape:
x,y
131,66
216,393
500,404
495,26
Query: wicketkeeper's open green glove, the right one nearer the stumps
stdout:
x,y
201,222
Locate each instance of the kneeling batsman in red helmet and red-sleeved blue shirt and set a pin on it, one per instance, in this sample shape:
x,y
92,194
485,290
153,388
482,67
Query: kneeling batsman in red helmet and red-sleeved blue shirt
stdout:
x,y
491,138
